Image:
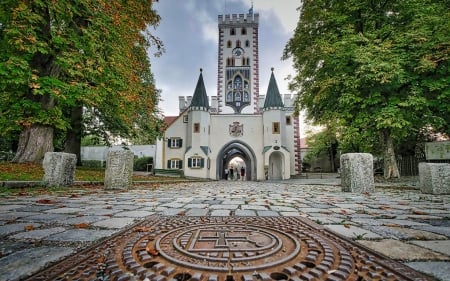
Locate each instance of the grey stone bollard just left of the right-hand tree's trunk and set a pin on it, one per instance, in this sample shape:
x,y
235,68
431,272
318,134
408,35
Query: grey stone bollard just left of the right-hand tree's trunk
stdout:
x,y
357,172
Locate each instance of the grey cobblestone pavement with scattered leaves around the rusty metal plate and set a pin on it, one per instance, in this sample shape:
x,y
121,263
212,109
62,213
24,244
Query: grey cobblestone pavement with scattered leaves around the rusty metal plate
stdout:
x,y
400,223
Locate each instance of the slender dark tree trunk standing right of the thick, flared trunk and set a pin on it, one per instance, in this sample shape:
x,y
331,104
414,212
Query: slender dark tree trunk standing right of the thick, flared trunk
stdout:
x,y
73,135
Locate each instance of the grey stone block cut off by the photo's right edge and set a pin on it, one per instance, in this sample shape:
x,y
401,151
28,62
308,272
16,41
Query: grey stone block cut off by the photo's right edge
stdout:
x,y
434,178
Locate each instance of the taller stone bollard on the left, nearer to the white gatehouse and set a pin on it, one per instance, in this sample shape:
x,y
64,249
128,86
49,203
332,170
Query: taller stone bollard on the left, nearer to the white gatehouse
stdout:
x,y
119,169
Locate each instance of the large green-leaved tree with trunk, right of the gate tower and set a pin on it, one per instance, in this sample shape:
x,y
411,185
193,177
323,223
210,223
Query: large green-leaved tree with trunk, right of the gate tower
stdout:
x,y
379,68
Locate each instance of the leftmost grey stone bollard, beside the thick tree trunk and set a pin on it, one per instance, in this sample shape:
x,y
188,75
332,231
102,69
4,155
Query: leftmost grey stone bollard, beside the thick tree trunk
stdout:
x,y
59,168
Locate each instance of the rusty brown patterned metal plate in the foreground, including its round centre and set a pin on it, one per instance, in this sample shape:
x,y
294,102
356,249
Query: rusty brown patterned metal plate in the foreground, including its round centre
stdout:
x,y
227,248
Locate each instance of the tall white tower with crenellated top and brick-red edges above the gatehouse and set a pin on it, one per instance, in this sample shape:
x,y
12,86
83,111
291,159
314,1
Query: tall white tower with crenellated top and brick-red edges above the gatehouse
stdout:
x,y
238,64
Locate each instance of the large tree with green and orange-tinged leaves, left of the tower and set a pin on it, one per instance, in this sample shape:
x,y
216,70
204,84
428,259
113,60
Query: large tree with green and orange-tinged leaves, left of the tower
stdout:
x,y
58,57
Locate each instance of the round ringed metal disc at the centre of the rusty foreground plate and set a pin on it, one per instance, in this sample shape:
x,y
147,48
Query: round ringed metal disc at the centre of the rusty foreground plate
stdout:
x,y
227,247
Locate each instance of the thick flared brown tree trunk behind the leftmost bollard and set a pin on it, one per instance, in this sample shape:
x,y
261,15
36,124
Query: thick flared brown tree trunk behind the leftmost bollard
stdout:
x,y
34,142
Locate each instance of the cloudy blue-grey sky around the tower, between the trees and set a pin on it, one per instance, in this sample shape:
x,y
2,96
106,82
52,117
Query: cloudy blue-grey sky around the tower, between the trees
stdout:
x,y
189,31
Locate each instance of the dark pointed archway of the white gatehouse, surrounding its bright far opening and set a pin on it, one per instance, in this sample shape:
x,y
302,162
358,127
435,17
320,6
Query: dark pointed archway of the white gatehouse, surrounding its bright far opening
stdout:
x,y
233,150
